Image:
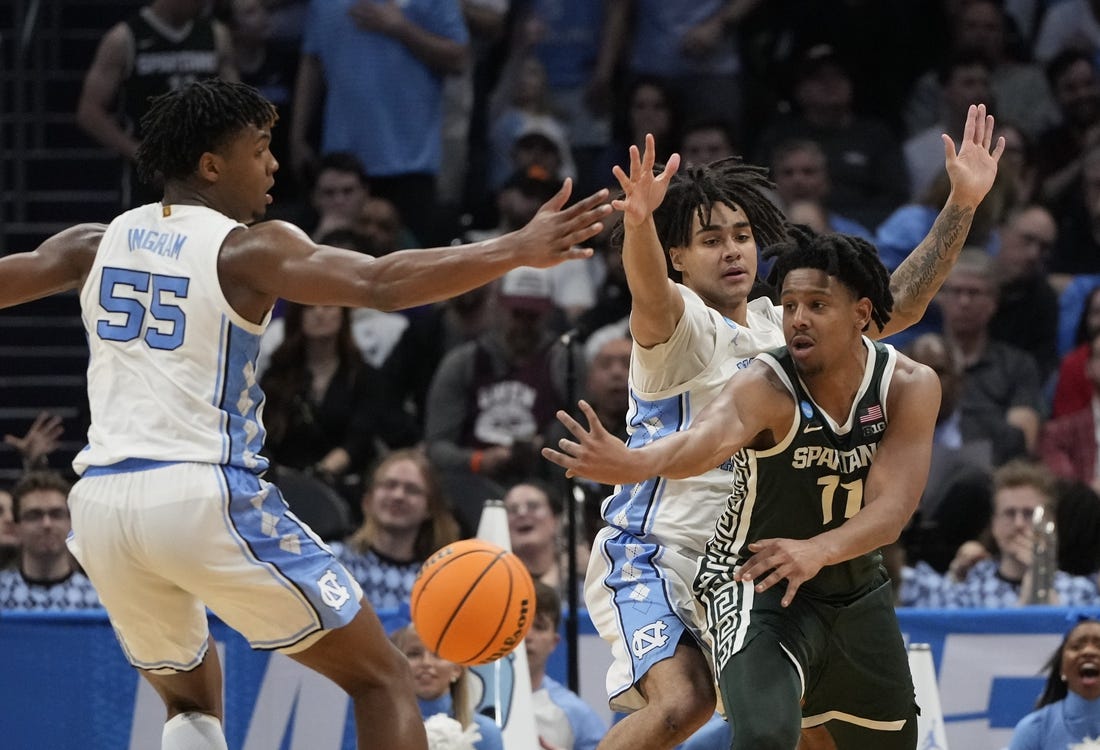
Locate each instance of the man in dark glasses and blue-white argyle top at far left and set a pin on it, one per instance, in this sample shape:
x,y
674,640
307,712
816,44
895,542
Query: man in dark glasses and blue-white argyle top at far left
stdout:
x,y
48,578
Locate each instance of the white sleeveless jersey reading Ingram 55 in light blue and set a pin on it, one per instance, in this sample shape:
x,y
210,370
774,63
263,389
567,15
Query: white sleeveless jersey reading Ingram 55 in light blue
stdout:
x,y
172,368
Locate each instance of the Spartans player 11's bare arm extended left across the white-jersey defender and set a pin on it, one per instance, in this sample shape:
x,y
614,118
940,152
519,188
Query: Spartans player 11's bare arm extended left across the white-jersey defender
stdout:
x,y
749,405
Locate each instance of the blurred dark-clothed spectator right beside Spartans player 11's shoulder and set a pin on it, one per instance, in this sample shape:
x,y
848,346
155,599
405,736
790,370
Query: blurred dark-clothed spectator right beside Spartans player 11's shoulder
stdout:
x,y
958,500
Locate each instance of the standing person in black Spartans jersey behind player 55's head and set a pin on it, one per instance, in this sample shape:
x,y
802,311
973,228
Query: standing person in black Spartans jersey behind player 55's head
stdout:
x,y
163,47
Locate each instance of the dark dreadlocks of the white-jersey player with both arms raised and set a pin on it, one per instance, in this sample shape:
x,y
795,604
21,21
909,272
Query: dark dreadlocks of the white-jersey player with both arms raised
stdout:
x,y
696,191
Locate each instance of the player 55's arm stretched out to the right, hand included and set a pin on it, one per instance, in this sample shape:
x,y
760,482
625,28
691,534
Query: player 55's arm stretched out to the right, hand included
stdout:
x,y
278,260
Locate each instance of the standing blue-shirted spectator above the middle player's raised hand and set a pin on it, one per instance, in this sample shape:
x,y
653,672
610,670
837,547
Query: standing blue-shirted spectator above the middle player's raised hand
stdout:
x,y
692,46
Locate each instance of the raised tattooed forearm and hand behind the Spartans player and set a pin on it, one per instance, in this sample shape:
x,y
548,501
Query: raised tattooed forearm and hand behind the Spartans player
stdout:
x,y
972,172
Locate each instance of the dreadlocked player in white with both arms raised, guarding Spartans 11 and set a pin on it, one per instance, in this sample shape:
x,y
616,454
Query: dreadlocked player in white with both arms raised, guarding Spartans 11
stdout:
x,y
690,338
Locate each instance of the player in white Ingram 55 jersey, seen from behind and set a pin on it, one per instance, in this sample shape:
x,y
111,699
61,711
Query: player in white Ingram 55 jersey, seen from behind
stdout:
x,y
171,515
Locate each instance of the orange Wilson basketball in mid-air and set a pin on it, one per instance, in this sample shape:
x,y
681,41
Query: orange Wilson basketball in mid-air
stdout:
x,y
474,602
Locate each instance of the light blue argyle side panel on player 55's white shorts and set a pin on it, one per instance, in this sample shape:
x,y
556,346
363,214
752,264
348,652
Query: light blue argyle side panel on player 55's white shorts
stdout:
x,y
272,537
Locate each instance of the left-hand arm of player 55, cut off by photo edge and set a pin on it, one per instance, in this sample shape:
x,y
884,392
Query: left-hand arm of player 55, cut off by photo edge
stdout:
x,y
59,264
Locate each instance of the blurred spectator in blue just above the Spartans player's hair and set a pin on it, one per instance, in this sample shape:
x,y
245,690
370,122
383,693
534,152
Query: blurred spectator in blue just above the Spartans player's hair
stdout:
x,y
800,171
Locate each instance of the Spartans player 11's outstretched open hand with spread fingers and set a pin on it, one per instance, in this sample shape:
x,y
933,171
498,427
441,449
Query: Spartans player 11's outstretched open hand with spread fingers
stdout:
x,y
597,455
